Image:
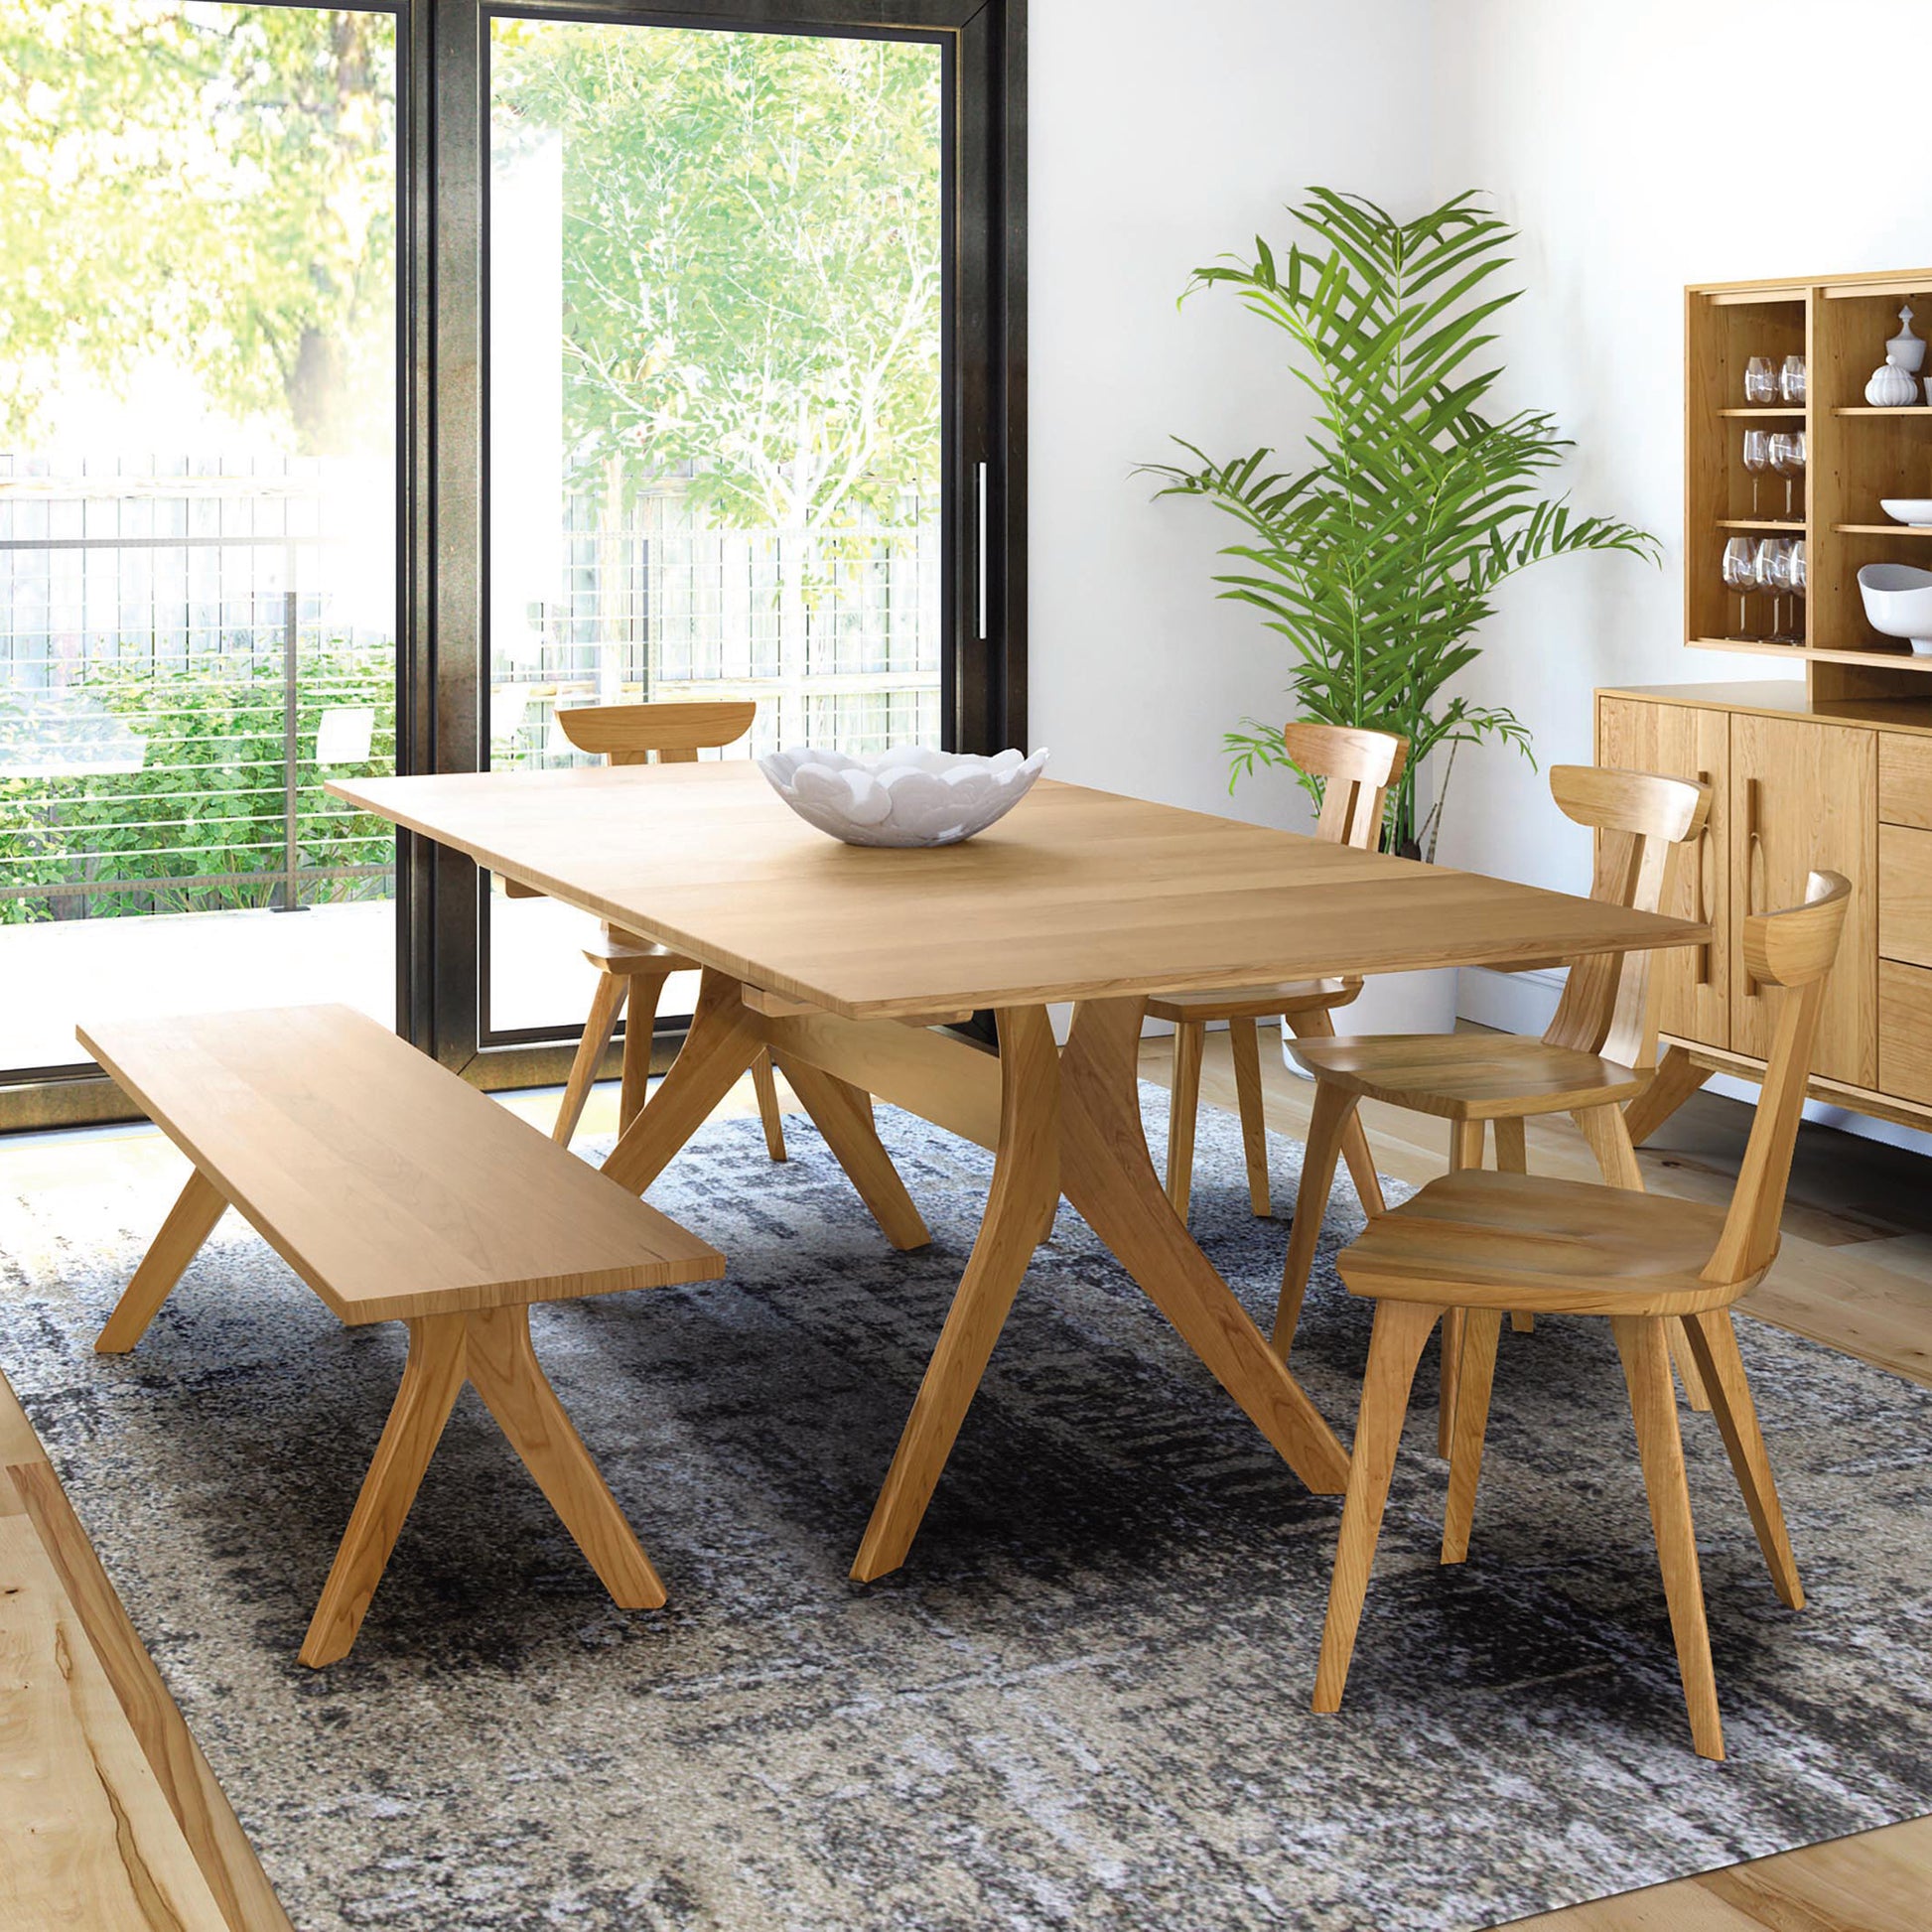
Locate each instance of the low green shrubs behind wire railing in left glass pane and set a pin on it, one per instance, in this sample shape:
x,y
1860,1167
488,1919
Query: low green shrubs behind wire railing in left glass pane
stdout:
x,y
210,795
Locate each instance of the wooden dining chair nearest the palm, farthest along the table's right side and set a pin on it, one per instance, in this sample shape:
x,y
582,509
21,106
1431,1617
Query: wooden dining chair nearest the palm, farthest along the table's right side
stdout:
x,y
1357,770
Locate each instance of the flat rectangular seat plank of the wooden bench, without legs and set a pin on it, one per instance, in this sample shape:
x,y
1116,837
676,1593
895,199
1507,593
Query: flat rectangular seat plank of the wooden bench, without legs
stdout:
x,y
391,1187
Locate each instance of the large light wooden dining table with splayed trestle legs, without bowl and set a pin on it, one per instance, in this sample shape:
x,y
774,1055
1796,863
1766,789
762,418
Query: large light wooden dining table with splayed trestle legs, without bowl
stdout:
x,y
849,965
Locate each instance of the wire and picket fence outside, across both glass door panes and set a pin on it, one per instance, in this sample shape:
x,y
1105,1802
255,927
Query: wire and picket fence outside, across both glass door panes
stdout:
x,y
190,650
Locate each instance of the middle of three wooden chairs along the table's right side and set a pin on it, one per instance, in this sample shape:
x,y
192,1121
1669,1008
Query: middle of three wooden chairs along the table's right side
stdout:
x,y
1595,1056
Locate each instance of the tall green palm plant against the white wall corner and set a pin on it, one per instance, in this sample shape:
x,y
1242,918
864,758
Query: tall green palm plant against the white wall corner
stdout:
x,y
1382,559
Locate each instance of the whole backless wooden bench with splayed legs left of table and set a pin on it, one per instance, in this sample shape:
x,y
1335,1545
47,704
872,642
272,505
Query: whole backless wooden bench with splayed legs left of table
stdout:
x,y
399,1195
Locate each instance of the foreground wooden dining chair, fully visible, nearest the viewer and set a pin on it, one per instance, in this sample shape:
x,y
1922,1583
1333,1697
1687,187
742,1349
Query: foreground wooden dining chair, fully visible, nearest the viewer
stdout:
x,y
1483,1243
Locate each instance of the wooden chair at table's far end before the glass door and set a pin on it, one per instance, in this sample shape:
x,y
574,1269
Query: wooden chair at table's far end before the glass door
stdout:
x,y
631,969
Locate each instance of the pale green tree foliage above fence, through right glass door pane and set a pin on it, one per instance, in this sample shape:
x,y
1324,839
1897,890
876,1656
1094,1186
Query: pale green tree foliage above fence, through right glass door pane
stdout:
x,y
753,262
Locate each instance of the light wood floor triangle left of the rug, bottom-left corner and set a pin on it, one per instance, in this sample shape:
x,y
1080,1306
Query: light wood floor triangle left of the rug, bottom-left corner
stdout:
x,y
111,1817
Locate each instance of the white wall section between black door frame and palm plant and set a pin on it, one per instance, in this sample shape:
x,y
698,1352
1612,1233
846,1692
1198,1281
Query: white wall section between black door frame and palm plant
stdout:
x,y
1164,134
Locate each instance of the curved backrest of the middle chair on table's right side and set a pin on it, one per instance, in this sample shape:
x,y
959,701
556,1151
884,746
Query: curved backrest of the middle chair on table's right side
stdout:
x,y
1643,828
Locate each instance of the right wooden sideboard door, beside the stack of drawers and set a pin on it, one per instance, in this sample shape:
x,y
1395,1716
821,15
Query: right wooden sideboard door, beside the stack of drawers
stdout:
x,y
1805,799
